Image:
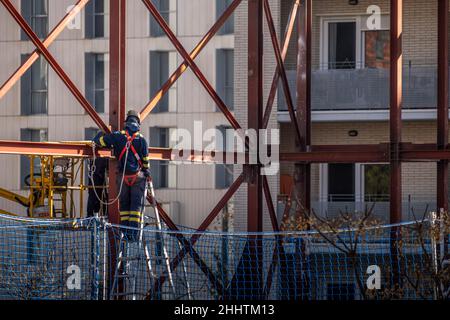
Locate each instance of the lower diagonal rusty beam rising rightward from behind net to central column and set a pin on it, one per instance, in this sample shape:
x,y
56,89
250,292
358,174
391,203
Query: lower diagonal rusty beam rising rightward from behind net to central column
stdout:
x,y
210,218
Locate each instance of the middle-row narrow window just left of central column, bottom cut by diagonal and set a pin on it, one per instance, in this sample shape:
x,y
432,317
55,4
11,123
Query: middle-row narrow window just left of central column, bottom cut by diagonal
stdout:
x,y
225,76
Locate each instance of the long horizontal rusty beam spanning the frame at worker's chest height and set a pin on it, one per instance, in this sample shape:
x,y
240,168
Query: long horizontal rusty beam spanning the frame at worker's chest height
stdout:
x,y
319,154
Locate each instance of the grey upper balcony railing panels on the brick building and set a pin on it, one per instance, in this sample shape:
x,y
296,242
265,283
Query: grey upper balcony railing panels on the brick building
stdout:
x,y
366,88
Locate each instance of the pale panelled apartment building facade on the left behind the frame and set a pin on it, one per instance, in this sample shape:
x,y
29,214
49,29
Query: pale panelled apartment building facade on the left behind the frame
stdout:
x,y
40,108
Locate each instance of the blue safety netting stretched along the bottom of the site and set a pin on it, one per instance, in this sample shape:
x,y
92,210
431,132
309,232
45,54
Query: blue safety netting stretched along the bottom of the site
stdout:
x,y
93,259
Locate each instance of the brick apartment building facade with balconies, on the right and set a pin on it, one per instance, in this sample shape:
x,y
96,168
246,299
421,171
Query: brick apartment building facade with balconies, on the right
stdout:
x,y
350,101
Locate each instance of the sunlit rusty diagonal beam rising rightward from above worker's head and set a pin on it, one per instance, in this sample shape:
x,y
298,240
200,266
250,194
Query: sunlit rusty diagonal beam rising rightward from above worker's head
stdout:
x,y
184,66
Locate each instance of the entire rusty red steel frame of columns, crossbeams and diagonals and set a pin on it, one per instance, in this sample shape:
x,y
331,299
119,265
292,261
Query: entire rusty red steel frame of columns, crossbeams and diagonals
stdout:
x,y
395,152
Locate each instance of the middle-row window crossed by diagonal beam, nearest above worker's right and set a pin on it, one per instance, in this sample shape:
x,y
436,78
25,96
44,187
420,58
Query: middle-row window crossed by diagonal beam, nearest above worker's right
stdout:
x,y
159,74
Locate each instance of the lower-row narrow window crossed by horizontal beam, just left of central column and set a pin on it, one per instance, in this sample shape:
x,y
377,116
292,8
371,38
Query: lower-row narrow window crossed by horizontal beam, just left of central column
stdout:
x,y
224,172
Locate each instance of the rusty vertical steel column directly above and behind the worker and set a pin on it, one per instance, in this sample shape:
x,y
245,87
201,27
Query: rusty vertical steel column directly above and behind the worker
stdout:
x,y
116,90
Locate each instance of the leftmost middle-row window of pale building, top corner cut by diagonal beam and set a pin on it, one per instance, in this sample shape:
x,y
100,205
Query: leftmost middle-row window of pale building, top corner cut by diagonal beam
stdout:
x,y
34,88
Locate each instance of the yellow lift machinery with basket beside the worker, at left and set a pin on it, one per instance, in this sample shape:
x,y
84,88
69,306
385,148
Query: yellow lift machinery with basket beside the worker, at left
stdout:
x,y
52,183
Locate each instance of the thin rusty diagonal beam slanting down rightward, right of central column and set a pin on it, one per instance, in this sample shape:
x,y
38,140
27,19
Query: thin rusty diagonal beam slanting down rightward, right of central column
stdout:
x,y
280,68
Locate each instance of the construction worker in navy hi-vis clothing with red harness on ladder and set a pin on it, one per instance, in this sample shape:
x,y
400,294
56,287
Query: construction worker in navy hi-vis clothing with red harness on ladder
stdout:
x,y
131,151
